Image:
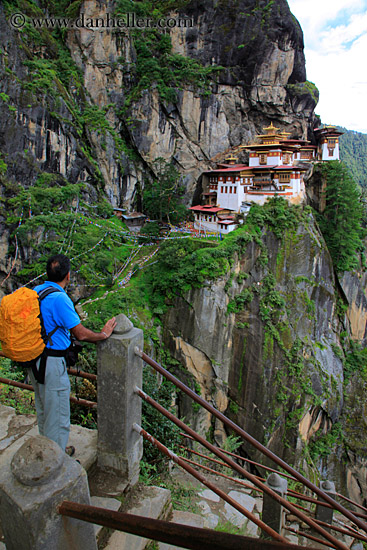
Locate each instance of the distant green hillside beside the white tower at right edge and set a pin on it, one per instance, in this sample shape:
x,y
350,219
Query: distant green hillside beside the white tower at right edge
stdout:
x,y
353,151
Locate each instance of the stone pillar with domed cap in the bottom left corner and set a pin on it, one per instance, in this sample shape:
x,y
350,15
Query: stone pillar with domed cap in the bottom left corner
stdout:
x,y
33,483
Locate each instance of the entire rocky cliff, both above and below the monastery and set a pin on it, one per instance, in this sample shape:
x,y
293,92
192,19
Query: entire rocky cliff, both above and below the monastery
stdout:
x,y
97,106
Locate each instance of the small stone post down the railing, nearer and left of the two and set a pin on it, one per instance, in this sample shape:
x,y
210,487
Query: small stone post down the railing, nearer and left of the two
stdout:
x,y
273,511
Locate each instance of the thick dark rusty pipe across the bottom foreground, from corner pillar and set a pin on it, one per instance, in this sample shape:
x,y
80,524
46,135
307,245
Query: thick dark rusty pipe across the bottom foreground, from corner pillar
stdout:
x,y
176,534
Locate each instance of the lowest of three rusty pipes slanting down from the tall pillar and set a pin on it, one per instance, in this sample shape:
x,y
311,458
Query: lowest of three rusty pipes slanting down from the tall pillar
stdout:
x,y
172,456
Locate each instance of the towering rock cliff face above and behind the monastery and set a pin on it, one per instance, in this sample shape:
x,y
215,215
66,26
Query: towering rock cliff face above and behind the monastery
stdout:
x,y
76,104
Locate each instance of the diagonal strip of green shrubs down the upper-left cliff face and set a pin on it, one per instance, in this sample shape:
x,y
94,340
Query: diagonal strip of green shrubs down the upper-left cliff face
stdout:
x,y
57,82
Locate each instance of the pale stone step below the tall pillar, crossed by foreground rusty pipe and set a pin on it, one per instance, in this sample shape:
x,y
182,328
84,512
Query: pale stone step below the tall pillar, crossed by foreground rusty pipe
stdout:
x,y
151,502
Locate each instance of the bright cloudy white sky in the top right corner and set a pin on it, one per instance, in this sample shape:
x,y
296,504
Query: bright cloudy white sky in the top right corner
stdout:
x,y
335,35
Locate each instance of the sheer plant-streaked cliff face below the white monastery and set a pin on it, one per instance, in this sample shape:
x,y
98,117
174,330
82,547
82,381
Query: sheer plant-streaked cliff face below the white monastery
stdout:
x,y
273,363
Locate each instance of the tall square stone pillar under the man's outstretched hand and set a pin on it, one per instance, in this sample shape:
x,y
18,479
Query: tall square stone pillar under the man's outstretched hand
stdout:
x,y
120,448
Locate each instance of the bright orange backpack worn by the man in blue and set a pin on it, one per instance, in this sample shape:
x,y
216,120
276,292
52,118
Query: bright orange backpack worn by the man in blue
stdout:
x,y
22,333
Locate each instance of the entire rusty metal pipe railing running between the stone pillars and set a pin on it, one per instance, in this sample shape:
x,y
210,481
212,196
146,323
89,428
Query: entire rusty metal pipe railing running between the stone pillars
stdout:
x,y
226,458
